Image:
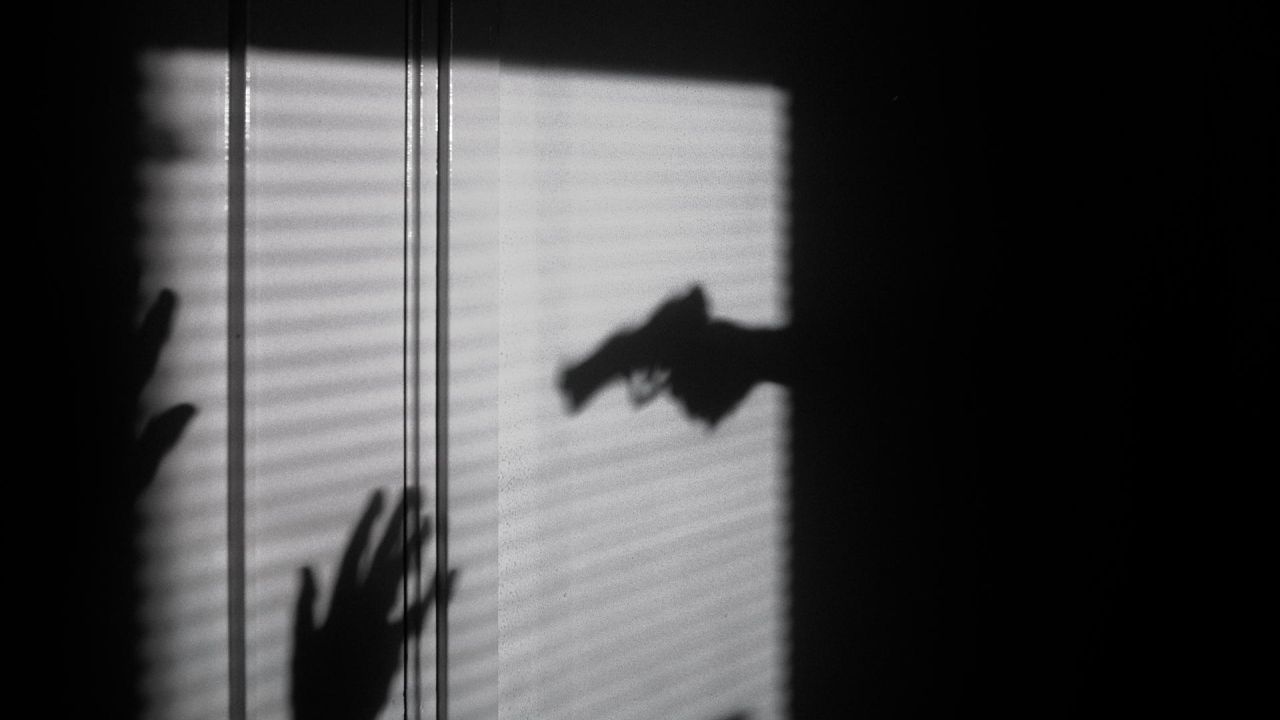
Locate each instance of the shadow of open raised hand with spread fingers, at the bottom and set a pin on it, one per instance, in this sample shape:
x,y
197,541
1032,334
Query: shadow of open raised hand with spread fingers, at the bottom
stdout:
x,y
342,668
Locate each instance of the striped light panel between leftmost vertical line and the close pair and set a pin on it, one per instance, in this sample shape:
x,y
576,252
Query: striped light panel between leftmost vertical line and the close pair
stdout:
x,y
326,318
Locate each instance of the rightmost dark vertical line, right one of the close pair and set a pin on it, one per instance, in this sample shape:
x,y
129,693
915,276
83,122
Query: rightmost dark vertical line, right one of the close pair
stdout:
x,y
445,48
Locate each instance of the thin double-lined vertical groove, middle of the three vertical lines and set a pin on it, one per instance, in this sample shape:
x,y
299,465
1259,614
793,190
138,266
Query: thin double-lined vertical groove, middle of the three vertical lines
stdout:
x,y
413,689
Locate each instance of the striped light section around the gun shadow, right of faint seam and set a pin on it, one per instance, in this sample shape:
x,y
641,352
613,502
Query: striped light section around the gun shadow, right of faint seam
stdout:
x,y
643,558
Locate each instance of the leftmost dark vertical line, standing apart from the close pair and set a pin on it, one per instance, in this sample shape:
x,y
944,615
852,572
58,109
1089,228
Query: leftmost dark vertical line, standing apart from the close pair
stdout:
x,y
237,129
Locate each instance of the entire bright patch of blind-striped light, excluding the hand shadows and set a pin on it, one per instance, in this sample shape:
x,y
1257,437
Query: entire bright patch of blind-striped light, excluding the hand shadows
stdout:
x,y
619,563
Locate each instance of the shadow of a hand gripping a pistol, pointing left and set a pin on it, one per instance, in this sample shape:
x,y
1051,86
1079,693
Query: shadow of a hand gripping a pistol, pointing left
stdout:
x,y
708,366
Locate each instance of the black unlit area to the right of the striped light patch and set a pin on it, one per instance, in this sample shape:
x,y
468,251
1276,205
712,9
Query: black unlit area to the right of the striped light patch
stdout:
x,y
1012,250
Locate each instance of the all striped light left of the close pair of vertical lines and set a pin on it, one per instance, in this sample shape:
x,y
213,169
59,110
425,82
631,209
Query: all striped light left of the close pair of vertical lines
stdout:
x,y
326,391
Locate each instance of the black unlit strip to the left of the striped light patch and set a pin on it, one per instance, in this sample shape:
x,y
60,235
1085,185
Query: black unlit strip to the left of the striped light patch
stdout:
x,y
76,476
